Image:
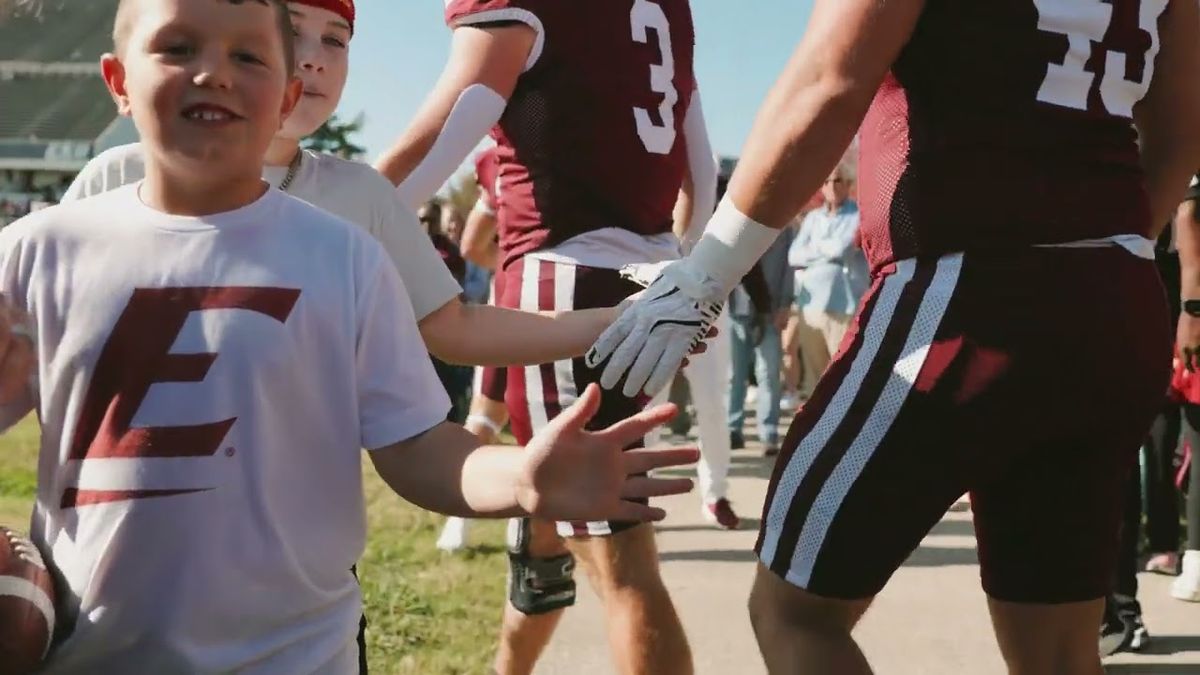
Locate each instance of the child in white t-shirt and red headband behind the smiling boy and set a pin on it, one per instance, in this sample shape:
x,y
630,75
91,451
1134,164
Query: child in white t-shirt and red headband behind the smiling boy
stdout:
x,y
453,331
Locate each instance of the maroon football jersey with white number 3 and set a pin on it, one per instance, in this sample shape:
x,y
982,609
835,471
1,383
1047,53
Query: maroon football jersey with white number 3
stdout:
x,y
593,134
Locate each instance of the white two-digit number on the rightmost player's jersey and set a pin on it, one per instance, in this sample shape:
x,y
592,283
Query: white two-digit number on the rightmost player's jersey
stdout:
x,y
1084,23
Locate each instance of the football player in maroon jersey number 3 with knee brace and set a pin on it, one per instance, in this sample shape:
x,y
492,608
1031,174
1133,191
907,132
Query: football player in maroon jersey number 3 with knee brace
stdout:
x,y
597,122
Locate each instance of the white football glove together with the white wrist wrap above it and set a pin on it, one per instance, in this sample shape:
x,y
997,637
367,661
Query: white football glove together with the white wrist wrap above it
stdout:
x,y
651,338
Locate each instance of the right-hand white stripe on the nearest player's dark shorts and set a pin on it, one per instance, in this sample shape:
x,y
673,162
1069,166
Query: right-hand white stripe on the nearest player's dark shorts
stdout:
x,y
904,375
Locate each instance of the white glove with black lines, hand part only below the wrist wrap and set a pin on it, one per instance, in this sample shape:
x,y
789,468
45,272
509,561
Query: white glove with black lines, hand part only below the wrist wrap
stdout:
x,y
664,325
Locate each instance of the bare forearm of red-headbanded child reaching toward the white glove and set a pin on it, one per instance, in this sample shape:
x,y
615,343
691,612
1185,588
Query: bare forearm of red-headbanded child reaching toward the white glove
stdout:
x,y
489,336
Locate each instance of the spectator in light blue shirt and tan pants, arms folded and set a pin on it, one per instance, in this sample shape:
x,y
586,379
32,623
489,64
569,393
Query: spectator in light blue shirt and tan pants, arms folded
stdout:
x,y
832,273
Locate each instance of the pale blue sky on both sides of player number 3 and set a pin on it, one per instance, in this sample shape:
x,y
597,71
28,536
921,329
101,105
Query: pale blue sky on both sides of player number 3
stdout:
x,y
400,47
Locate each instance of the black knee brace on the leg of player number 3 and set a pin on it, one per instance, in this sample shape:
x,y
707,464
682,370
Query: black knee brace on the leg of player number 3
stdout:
x,y
538,586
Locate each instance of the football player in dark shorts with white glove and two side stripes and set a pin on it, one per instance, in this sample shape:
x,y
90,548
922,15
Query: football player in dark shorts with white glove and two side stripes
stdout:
x,y
1017,351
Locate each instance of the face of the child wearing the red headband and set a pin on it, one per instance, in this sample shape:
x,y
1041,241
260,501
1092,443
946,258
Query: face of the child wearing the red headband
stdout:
x,y
322,47
